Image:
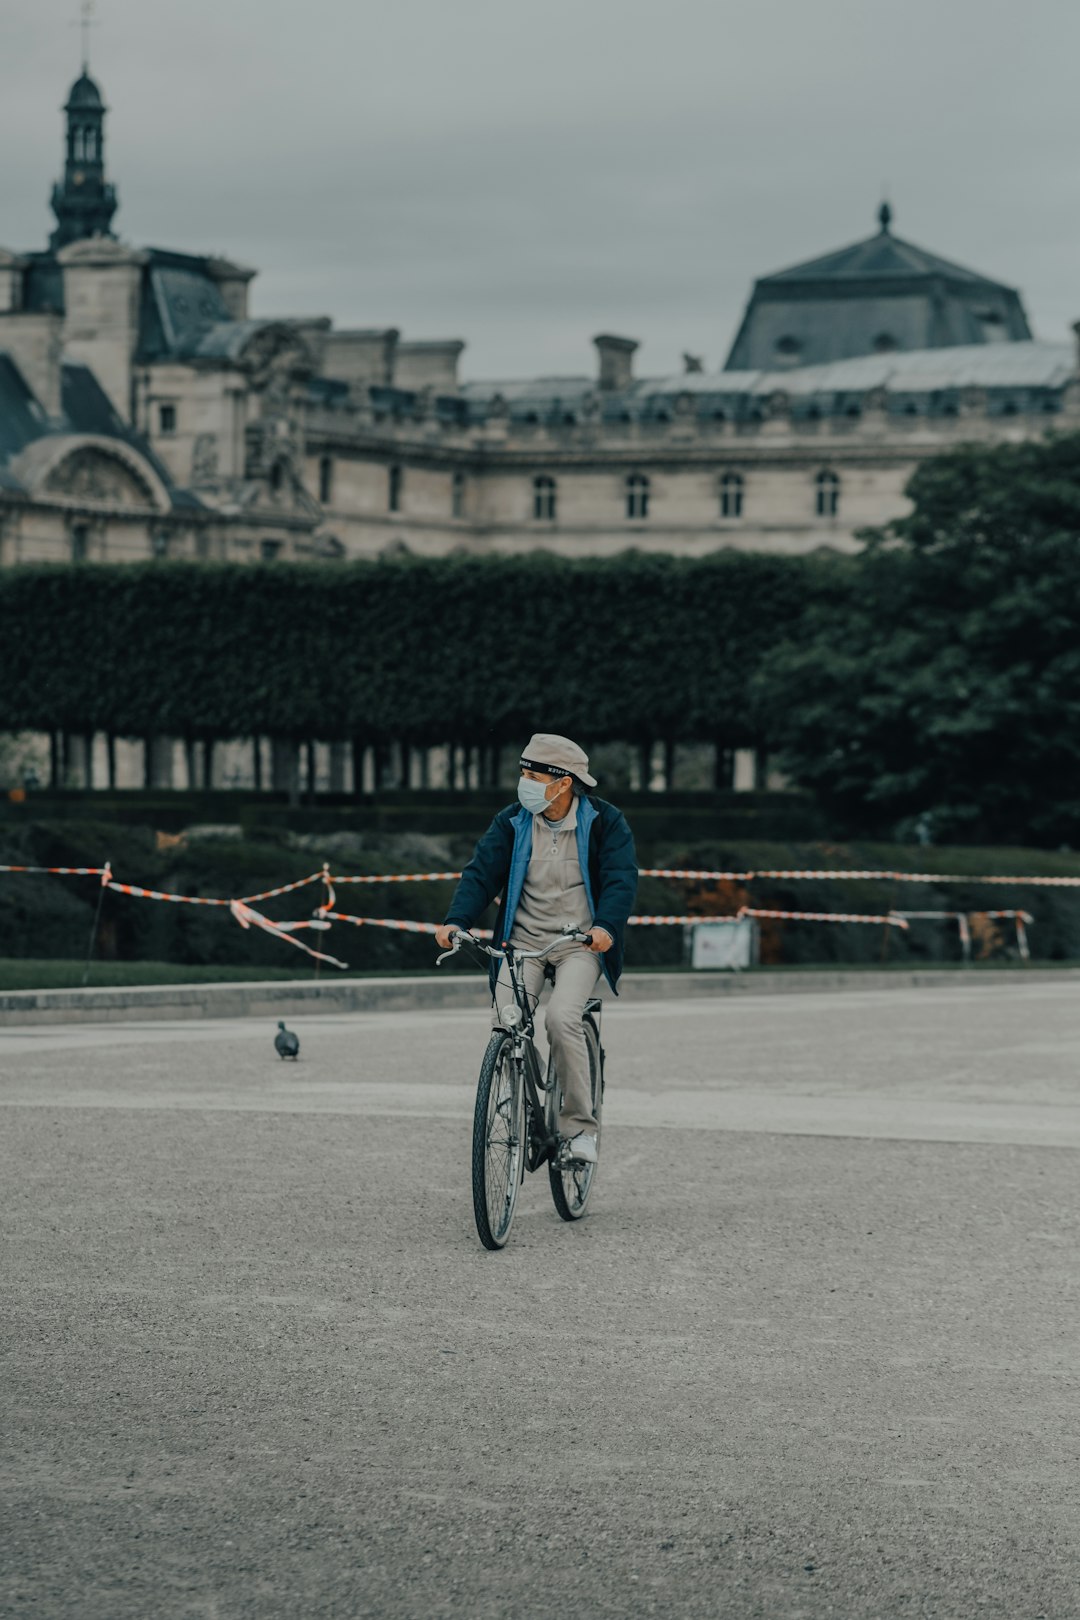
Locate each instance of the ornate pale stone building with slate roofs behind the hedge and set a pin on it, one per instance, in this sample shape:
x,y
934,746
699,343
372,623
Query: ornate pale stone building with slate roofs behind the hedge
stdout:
x,y
147,414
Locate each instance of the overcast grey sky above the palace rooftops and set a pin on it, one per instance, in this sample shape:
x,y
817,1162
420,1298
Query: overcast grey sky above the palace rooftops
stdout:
x,y
525,174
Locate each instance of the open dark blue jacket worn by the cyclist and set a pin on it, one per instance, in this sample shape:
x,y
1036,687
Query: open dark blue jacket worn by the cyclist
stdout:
x,y
610,869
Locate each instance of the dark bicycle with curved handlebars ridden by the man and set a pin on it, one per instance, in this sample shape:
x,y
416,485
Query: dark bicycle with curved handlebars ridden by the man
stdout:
x,y
516,1122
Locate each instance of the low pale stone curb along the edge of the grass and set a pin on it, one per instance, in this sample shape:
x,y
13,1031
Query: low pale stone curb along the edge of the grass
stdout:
x,y
289,999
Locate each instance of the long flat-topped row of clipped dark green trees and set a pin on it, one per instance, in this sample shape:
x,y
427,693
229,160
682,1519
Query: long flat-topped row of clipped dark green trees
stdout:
x,y
637,647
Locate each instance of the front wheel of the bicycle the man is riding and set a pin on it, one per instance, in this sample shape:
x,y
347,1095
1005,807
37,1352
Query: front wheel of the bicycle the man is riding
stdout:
x,y
498,1143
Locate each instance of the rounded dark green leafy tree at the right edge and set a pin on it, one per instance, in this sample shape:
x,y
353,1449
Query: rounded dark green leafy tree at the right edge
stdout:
x,y
937,678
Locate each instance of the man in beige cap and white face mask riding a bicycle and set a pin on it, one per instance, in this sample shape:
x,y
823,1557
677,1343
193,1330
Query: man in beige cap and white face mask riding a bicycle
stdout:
x,y
558,859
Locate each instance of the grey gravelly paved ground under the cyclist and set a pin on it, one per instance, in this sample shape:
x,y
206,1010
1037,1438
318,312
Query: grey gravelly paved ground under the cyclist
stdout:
x,y
815,1352
